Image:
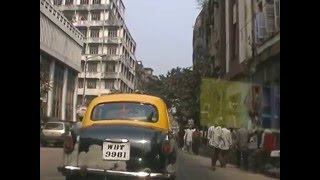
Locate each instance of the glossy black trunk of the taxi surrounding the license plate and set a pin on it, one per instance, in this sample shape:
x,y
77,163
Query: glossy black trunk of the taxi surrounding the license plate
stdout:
x,y
145,146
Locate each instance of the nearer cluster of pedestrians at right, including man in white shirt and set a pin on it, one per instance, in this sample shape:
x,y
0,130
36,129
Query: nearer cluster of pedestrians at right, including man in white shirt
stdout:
x,y
246,143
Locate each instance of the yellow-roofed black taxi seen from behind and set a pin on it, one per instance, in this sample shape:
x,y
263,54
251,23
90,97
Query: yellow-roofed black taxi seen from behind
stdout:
x,y
121,136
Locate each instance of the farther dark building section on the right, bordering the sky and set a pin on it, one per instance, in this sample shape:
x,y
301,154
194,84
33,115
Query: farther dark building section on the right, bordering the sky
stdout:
x,y
209,48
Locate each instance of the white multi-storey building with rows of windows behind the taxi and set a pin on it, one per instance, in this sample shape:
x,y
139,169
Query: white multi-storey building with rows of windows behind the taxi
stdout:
x,y
108,57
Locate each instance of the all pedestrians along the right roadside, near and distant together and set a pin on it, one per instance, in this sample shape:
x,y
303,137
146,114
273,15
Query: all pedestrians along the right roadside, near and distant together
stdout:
x,y
249,145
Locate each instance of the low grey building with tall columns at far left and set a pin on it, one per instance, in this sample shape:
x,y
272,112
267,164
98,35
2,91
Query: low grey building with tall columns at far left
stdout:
x,y
60,53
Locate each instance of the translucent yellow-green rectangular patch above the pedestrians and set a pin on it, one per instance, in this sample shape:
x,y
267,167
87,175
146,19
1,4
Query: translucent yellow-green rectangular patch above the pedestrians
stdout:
x,y
224,103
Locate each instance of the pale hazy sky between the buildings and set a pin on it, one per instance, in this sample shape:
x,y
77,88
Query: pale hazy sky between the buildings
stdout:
x,y
163,31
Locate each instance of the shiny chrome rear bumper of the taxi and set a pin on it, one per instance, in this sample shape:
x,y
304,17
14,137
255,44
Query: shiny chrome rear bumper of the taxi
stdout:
x,y
72,170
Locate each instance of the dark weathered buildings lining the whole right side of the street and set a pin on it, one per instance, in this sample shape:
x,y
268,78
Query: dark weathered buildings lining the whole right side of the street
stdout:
x,y
246,40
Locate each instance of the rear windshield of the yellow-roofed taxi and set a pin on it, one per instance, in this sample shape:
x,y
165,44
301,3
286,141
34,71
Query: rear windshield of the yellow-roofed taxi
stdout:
x,y
135,111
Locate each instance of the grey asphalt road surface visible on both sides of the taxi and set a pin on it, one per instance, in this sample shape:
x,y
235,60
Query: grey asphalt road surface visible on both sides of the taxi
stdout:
x,y
189,167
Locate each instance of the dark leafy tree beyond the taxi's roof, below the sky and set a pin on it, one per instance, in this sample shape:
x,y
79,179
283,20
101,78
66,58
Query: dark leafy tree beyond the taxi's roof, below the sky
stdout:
x,y
180,89
